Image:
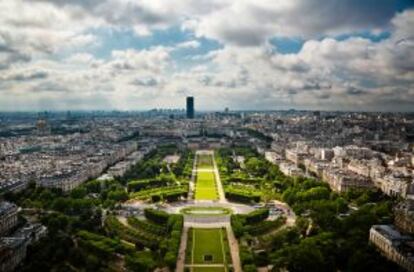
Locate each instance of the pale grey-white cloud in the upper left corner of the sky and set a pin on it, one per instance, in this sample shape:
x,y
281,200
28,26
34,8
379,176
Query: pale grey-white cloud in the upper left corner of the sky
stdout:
x,y
37,28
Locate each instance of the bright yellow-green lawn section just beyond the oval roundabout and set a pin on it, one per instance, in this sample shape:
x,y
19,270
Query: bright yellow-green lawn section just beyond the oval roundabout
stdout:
x,y
205,188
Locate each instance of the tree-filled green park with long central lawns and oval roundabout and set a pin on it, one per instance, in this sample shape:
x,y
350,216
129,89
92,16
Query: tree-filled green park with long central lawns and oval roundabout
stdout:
x,y
155,217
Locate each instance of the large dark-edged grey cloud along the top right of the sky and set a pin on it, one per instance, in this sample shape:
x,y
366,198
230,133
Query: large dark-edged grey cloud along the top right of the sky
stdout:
x,y
257,21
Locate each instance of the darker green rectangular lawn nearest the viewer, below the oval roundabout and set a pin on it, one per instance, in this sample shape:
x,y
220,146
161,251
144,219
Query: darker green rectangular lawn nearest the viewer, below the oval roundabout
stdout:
x,y
207,242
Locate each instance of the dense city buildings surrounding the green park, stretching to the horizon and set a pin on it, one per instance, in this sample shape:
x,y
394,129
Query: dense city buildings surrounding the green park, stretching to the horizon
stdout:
x,y
348,151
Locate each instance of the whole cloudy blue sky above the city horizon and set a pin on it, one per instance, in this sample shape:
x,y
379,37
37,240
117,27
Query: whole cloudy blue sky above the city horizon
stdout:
x,y
242,54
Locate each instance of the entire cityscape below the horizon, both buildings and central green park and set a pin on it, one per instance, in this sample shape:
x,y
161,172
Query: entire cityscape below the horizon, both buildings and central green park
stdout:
x,y
226,191
